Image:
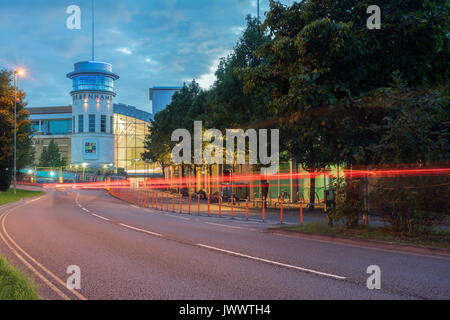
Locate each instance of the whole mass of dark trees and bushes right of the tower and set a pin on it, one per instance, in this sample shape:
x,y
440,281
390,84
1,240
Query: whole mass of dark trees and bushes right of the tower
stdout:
x,y
341,95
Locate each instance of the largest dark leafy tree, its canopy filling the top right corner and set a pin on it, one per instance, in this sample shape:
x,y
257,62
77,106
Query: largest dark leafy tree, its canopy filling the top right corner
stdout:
x,y
323,65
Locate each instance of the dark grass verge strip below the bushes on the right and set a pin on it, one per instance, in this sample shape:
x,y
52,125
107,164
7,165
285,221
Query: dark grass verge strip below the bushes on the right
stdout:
x,y
437,238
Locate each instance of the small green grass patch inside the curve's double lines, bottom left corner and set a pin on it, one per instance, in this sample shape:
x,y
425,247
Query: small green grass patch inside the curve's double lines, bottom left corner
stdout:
x,y
14,285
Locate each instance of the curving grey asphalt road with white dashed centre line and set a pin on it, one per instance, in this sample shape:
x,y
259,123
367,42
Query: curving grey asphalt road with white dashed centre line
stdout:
x,y
126,252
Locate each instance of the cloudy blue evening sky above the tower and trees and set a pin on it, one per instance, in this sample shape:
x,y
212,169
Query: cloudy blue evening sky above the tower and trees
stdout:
x,y
148,42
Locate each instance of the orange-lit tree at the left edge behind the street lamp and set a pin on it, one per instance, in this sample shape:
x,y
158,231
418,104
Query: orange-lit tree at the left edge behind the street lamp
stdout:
x,y
25,152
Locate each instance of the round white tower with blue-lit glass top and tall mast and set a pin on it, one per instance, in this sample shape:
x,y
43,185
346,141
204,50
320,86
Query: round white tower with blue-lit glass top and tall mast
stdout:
x,y
92,111
